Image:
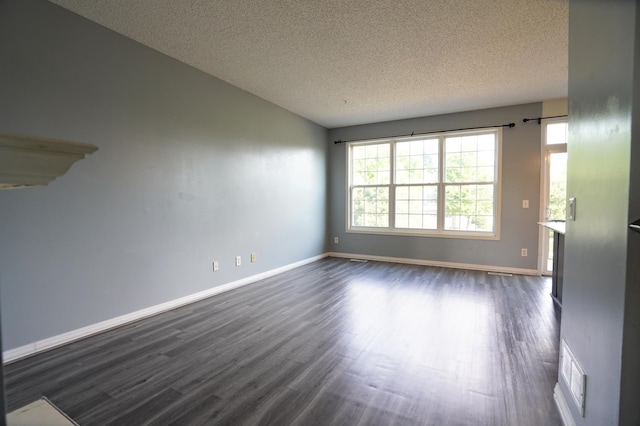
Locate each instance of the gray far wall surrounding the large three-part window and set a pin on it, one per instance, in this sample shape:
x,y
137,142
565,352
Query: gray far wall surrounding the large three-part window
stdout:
x,y
520,181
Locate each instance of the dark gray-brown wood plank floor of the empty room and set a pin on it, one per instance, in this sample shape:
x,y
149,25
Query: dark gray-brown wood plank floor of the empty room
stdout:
x,y
334,342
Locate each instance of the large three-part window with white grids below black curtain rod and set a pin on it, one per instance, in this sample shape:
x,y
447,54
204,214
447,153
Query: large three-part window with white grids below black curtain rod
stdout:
x,y
439,185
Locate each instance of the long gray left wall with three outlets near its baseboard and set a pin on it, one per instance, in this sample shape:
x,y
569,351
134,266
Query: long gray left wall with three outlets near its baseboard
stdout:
x,y
189,169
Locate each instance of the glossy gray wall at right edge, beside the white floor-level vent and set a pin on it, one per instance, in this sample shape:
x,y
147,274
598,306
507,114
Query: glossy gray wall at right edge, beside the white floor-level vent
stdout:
x,y
601,272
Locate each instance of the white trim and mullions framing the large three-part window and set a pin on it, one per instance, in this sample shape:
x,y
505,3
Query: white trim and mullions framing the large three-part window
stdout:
x,y
440,232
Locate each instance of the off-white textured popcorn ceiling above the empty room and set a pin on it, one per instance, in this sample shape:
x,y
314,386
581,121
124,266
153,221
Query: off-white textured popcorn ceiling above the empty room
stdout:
x,y
345,62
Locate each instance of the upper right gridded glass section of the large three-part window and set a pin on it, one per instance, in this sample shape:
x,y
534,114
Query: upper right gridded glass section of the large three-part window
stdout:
x,y
470,158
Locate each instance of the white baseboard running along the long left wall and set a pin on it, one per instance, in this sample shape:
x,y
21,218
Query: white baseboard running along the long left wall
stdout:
x,y
81,333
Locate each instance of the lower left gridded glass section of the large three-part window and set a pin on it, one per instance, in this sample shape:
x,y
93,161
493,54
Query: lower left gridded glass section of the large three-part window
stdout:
x,y
370,206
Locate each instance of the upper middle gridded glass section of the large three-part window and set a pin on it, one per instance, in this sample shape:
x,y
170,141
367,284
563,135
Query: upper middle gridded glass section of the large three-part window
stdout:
x,y
417,161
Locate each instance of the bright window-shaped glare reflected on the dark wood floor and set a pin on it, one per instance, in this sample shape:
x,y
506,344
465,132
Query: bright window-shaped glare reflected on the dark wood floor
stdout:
x,y
385,321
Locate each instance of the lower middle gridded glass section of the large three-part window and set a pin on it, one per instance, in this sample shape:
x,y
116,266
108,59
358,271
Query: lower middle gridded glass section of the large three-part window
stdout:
x,y
417,207
